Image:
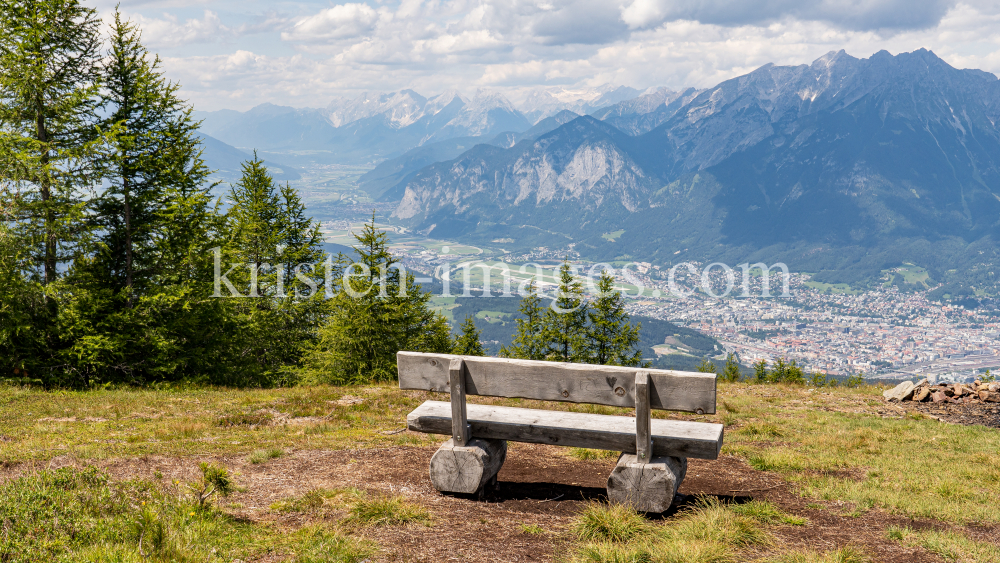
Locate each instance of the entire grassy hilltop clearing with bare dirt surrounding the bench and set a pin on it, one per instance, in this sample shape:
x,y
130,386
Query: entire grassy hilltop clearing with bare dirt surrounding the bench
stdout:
x,y
330,474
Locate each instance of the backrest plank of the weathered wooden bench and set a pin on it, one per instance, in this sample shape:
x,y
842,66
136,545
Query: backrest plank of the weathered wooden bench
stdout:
x,y
554,381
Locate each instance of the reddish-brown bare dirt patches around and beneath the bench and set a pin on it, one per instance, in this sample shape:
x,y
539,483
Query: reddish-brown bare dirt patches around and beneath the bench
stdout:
x,y
539,486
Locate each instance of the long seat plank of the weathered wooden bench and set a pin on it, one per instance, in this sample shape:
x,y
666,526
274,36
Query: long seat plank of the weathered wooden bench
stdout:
x,y
617,433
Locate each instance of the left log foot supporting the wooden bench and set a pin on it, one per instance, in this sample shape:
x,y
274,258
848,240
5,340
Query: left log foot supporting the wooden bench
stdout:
x,y
467,469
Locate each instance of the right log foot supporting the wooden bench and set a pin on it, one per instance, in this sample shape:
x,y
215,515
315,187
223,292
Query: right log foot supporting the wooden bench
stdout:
x,y
646,487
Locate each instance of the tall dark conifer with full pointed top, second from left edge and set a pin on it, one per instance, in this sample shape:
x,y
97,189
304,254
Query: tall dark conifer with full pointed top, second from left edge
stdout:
x,y
154,156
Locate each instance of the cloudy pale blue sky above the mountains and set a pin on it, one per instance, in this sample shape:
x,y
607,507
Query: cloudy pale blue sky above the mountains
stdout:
x,y
236,55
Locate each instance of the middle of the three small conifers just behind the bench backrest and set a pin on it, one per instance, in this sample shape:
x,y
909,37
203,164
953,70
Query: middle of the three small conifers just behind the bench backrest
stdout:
x,y
564,325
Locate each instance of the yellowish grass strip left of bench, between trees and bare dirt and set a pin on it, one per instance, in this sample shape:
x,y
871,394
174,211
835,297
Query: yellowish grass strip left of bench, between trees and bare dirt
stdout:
x,y
122,423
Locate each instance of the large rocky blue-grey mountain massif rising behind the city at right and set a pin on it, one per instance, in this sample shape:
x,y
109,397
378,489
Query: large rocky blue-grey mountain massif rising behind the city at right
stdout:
x,y
844,167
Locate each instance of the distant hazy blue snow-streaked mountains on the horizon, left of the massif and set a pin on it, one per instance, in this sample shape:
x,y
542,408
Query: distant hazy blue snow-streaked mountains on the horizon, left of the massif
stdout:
x,y
376,126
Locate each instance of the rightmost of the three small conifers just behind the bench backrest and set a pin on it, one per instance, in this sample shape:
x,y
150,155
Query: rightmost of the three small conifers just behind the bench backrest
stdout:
x,y
612,340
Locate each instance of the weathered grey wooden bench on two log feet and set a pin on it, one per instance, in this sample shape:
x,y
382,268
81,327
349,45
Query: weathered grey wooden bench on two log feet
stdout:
x,y
654,452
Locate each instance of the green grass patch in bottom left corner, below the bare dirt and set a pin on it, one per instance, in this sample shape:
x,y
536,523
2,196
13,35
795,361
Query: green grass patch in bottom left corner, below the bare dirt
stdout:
x,y
82,515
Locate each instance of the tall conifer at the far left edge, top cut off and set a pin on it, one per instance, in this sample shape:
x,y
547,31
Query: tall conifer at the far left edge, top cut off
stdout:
x,y
49,69
